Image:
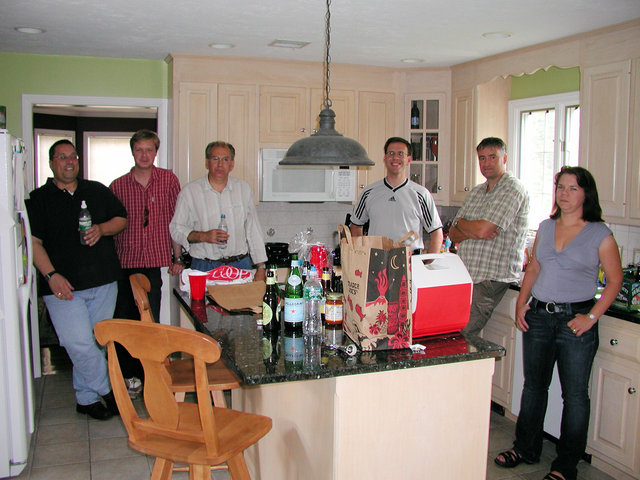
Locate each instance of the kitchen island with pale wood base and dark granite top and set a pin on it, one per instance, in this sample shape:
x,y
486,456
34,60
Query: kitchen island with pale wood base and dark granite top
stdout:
x,y
378,415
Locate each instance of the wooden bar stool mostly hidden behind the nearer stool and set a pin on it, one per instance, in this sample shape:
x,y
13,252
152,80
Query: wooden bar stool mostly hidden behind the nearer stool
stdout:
x,y
220,376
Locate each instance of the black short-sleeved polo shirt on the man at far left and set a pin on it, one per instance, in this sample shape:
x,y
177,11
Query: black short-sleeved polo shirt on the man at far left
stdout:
x,y
53,214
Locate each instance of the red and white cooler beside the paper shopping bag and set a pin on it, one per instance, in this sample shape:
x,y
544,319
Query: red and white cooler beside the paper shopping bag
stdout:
x,y
441,290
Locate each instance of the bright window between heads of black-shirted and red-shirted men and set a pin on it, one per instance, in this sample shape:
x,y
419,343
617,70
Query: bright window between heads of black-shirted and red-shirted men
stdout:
x,y
107,155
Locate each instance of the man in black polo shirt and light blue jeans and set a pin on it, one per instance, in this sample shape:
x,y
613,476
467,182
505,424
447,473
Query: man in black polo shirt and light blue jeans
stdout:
x,y
79,283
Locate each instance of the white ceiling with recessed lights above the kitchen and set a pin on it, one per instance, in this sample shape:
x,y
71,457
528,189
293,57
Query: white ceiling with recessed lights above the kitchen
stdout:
x,y
370,32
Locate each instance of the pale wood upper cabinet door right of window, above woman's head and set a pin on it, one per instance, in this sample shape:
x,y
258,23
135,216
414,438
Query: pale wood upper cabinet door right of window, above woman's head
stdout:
x,y
604,134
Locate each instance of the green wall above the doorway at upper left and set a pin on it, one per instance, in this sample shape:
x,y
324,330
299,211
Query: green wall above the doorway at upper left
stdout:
x,y
82,76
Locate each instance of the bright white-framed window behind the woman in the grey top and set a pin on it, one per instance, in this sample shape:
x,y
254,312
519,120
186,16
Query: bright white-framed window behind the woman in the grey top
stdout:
x,y
543,136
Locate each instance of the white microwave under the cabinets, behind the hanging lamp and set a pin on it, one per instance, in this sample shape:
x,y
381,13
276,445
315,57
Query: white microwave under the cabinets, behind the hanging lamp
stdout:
x,y
291,183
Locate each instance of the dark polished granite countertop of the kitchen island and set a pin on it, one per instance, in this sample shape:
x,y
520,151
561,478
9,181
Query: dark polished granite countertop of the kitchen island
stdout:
x,y
259,358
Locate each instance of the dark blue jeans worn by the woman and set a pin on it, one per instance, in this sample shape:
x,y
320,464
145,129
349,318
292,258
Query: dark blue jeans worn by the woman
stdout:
x,y
550,340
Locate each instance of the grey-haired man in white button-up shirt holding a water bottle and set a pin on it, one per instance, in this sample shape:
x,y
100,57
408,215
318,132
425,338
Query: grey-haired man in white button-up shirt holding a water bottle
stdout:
x,y
199,207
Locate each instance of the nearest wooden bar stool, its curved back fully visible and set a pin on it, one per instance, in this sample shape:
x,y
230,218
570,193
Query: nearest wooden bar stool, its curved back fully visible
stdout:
x,y
199,435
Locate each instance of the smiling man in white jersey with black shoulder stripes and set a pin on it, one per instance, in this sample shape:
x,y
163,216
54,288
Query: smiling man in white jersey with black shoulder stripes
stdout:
x,y
395,205
